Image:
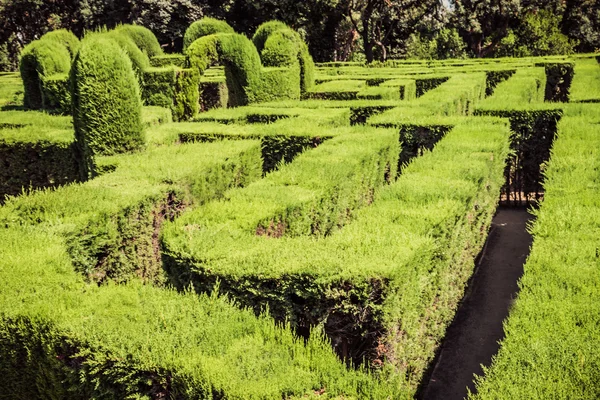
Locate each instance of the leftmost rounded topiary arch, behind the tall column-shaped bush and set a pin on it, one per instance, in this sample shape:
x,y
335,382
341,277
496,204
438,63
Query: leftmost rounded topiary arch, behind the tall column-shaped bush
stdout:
x,y
39,59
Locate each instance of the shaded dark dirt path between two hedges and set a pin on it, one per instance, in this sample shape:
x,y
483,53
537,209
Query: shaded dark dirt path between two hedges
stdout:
x,y
472,338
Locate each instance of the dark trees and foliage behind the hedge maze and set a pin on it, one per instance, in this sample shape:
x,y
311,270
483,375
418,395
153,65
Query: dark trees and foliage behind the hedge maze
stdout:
x,y
335,30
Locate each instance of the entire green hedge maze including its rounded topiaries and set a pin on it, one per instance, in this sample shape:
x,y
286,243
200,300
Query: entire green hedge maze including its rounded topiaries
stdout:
x,y
235,222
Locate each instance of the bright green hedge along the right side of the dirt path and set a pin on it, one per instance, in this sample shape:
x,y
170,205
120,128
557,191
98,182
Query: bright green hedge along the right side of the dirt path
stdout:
x,y
551,349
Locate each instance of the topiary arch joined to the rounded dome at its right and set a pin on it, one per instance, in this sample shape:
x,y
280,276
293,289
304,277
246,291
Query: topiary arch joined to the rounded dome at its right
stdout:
x,y
289,66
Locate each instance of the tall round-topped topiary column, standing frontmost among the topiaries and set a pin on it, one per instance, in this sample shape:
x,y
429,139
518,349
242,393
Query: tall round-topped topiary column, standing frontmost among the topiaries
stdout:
x,y
107,107
